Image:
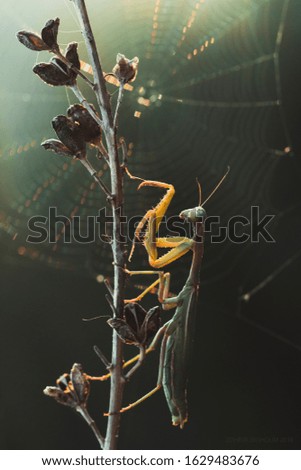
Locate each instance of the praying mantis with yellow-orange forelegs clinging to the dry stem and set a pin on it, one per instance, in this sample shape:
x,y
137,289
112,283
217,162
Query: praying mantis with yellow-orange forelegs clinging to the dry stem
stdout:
x,y
177,333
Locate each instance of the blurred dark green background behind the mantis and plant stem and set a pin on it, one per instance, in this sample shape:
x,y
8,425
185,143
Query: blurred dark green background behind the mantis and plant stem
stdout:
x,y
218,85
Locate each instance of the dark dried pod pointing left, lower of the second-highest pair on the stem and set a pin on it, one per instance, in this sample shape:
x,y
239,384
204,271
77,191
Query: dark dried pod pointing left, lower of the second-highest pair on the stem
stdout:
x,y
55,73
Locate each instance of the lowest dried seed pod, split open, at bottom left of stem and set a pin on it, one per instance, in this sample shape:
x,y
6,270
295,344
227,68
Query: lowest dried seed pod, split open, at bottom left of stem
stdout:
x,y
71,390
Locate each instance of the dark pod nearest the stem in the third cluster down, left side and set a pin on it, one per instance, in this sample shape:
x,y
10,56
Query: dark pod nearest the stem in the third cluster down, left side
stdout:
x,y
89,128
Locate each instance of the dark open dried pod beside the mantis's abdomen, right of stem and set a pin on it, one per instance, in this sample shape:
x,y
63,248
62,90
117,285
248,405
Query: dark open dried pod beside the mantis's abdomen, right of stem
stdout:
x,y
137,326
